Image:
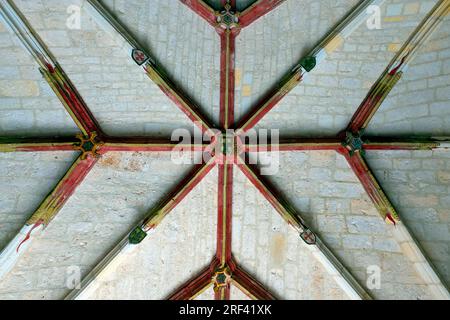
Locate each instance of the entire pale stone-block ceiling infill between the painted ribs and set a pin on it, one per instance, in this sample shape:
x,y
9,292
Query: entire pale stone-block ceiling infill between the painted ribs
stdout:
x,y
122,187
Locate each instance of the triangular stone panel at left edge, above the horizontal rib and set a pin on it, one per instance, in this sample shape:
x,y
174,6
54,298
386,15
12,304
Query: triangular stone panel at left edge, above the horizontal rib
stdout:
x,y
28,105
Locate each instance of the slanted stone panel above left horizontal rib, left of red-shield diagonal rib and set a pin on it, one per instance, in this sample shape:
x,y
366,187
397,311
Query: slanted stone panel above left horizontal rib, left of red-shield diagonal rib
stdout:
x,y
122,98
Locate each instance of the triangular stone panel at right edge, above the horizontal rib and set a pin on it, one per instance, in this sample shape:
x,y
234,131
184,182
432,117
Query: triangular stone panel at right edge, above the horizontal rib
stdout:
x,y
418,104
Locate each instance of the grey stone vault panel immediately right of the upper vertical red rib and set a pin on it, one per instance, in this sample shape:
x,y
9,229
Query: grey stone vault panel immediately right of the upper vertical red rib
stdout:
x,y
269,48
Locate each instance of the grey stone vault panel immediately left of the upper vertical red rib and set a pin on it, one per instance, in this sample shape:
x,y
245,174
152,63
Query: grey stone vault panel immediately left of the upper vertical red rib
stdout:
x,y
185,47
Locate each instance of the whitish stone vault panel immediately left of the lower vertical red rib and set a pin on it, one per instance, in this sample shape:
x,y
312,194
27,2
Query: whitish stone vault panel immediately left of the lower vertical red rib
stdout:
x,y
177,250
